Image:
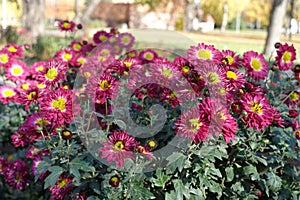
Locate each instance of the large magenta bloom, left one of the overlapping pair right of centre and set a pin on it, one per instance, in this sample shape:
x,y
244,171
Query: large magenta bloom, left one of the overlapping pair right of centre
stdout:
x,y
192,125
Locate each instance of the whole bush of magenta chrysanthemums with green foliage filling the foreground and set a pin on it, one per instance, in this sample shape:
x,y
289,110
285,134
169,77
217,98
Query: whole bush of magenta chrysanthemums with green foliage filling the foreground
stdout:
x,y
102,119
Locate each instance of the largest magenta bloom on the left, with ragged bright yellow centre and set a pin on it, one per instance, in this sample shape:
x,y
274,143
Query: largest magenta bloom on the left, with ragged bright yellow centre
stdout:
x,y
57,106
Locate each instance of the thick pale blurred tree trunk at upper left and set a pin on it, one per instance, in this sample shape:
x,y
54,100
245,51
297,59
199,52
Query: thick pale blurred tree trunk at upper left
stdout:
x,y
33,18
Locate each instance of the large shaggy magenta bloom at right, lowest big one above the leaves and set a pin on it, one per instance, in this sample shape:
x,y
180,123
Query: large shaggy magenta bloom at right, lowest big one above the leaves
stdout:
x,y
258,113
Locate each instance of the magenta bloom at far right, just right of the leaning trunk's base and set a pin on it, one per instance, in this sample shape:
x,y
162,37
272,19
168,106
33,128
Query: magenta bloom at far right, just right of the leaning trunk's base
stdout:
x,y
285,56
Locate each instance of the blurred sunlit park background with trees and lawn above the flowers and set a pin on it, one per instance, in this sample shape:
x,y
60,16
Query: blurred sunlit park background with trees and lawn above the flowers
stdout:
x,y
239,25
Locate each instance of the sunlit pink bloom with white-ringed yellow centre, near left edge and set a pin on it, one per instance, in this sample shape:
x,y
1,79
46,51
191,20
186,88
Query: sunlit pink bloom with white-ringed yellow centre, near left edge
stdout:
x,y
16,71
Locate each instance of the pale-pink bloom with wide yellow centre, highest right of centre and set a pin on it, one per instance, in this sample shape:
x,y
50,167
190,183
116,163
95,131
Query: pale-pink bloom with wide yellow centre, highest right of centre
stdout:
x,y
203,53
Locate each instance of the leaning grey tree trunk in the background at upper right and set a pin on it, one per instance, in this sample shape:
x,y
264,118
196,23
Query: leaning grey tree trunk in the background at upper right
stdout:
x,y
276,20
